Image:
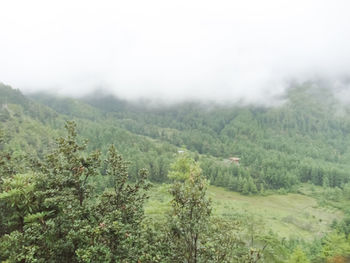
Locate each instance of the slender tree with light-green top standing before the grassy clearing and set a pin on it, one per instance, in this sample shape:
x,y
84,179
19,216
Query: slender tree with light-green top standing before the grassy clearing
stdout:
x,y
191,211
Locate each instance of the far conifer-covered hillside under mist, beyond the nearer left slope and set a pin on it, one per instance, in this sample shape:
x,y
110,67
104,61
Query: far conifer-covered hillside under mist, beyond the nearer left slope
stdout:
x,y
305,139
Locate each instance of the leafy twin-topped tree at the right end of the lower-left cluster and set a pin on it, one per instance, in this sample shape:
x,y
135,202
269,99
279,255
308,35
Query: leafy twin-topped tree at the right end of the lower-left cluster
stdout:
x,y
117,232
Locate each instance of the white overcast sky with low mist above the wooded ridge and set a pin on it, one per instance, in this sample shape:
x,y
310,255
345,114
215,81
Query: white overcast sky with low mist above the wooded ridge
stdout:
x,y
222,50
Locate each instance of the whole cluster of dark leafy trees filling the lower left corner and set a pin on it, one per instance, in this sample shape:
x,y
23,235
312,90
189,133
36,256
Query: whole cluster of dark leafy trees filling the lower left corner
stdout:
x,y
53,216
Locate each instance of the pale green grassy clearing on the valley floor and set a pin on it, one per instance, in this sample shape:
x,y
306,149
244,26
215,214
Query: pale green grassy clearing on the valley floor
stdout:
x,y
290,215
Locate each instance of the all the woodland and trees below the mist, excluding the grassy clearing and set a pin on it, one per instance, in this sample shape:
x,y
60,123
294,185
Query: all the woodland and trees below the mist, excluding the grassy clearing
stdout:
x,y
76,174
